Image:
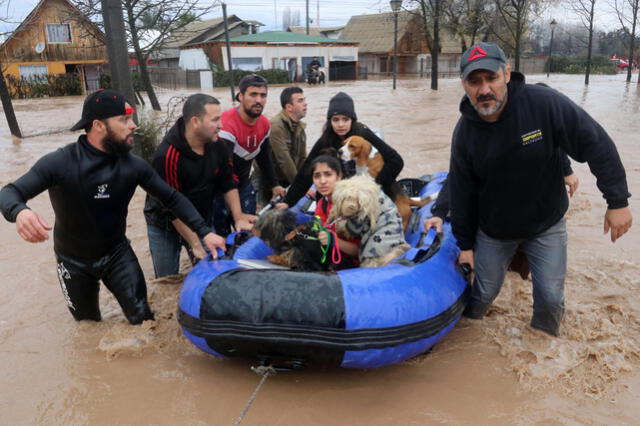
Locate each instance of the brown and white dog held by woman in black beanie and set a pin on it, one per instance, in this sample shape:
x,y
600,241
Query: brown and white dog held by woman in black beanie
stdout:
x,y
369,161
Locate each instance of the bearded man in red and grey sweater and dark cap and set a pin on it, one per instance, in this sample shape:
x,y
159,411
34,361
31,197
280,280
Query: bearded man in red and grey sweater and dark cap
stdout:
x,y
247,132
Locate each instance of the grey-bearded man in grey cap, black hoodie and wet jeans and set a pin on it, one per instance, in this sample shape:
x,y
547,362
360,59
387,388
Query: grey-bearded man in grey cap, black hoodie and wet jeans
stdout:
x,y
506,180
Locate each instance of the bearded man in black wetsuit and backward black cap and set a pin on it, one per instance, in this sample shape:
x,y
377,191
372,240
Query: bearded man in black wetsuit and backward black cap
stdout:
x,y
90,184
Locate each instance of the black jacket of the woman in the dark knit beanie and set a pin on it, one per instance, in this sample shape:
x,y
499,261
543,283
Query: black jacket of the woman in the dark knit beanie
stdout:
x,y
393,163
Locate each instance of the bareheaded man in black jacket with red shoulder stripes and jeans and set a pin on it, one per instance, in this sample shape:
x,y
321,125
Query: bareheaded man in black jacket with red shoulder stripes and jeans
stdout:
x,y
191,160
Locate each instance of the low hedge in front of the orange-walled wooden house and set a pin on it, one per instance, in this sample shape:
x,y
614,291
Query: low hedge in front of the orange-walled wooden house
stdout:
x,y
40,86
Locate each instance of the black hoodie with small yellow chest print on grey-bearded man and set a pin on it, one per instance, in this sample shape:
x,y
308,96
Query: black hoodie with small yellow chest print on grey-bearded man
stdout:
x,y
506,177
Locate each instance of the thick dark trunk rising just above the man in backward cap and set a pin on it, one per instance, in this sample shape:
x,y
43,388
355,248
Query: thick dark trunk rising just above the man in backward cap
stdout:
x,y
117,49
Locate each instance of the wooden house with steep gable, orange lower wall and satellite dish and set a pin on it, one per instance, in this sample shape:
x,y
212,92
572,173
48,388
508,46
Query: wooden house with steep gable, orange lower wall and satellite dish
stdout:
x,y
55,38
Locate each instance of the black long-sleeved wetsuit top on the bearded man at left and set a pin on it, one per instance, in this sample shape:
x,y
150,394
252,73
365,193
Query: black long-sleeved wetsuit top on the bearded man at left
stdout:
x,y
90,192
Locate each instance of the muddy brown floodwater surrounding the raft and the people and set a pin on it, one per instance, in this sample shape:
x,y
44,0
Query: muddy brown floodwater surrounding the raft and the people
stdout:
x,y
497,371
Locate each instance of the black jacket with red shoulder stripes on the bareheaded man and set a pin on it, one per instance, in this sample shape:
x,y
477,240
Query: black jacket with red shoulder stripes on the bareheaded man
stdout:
x,y
198,177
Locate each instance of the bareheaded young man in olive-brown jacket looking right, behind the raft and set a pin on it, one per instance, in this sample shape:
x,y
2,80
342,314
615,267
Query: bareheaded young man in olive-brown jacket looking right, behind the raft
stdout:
x,y
288,142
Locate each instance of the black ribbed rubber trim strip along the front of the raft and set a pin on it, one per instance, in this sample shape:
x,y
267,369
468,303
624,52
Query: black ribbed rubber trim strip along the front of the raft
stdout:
x,y
328,338
